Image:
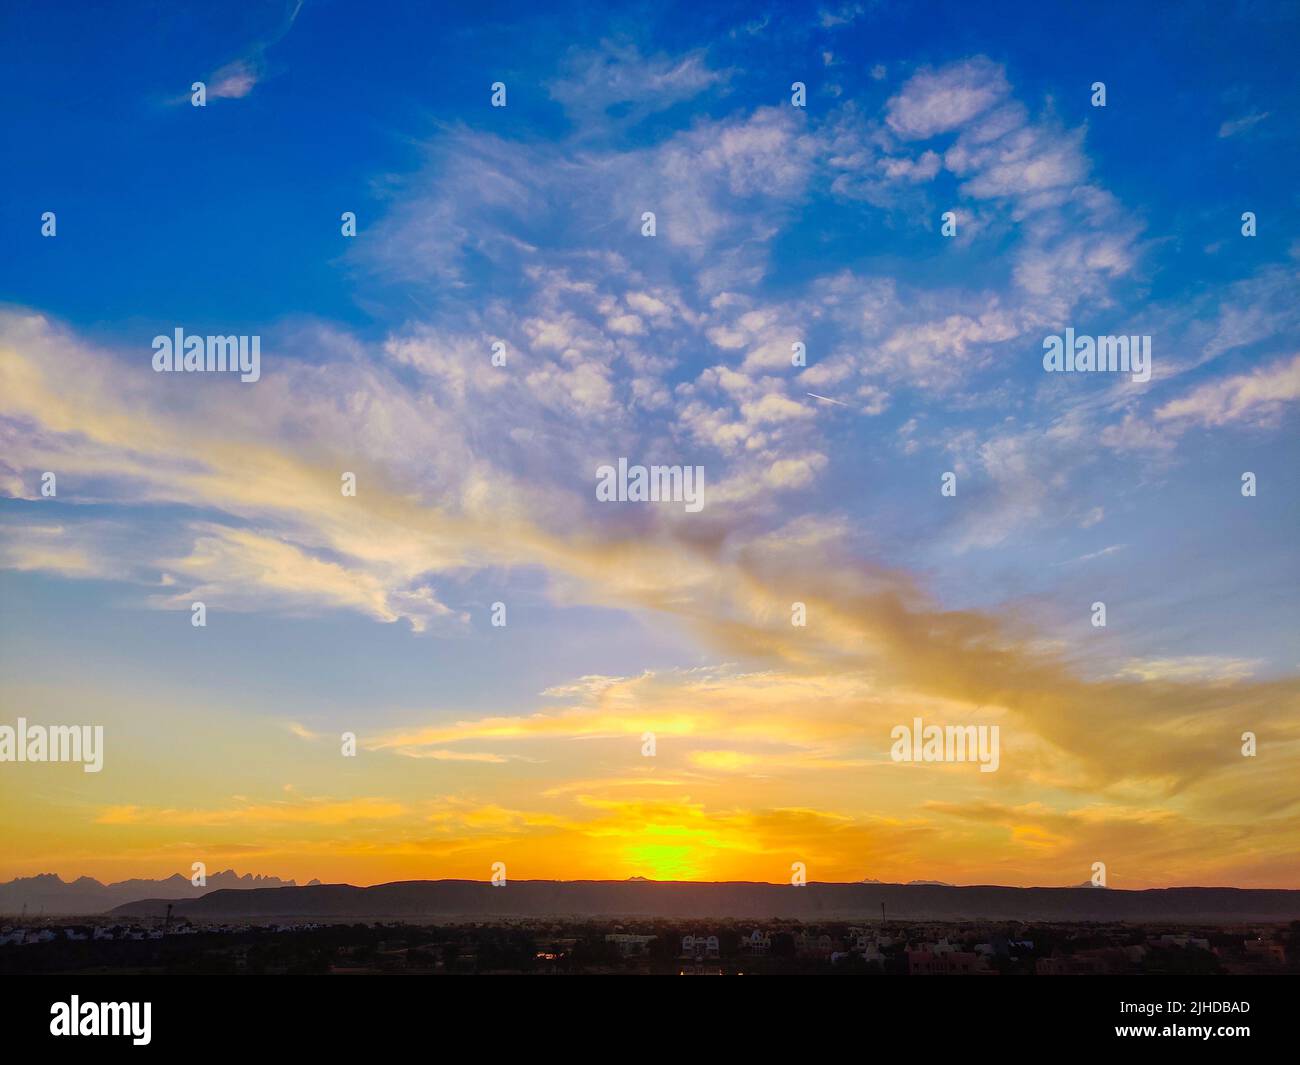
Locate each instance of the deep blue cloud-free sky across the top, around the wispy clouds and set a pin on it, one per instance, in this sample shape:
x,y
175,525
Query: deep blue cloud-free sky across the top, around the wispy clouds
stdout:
x,y
345,106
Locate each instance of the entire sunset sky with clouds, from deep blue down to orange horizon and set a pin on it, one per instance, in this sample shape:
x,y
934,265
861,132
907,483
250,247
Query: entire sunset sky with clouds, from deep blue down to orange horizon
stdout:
x,y
649,707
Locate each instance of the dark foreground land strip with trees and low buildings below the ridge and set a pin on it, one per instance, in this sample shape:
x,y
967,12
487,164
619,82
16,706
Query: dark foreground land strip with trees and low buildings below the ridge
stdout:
x,y
673,947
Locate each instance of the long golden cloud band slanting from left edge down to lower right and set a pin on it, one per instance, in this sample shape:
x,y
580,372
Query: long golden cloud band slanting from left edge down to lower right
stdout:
x,y
289,540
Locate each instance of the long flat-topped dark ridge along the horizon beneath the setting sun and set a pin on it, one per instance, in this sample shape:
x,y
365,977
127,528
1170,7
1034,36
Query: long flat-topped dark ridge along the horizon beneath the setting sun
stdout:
x,y
447,899
